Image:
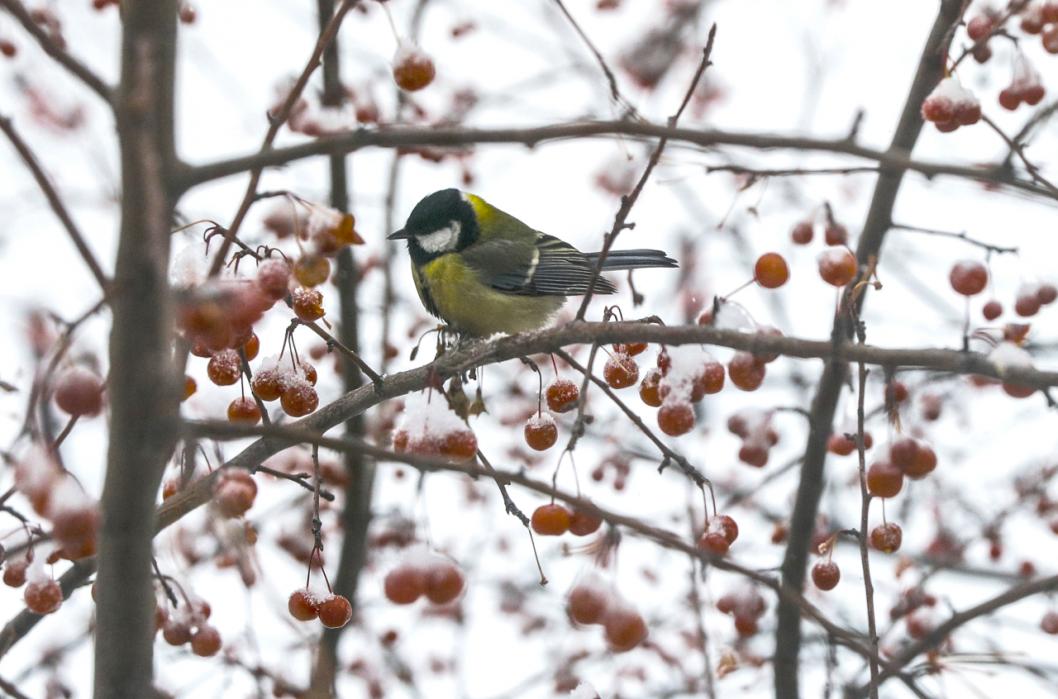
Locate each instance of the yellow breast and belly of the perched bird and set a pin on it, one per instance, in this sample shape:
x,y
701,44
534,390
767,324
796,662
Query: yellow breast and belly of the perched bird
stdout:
x,y
453,292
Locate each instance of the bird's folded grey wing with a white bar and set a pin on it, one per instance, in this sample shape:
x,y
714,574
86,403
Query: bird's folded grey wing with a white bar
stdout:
x,y
553,268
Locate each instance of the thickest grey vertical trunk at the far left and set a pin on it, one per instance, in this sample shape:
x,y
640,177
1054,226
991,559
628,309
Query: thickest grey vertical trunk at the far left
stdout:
x,y
143,390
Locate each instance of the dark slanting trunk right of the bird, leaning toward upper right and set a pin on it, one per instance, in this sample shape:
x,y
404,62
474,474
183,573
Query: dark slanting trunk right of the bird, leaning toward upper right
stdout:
x,y
878,224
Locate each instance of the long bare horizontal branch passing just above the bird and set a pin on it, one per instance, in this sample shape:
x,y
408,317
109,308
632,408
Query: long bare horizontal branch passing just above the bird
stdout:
x,y
400,137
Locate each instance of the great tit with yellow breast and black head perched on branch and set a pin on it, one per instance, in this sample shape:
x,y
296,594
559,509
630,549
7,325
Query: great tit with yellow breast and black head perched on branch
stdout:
x,y
485,272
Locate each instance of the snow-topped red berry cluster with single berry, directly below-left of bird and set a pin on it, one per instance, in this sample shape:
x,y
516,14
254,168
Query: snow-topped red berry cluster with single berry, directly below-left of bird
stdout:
x,y
293,383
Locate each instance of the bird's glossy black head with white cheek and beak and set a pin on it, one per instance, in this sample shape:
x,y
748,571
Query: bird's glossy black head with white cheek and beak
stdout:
x,y
444,223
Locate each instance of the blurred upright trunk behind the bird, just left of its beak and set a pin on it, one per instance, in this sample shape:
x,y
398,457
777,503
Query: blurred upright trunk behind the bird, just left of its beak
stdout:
x,y
357,511
